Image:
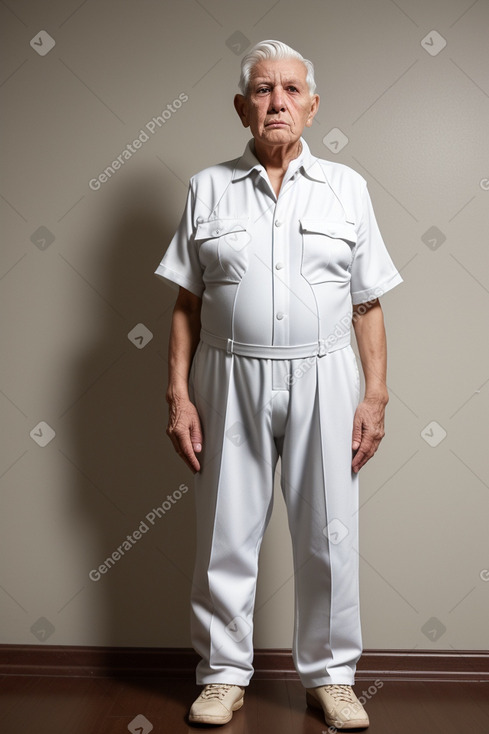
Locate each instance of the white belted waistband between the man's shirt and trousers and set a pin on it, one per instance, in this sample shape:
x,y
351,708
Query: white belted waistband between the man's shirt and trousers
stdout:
x,y
315,349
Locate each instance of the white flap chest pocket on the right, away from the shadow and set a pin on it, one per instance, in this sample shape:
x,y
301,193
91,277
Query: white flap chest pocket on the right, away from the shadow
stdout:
x,y
327,249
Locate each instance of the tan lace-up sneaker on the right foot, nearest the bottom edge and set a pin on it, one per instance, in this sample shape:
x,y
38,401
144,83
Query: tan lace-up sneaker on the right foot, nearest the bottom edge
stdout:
x,y
341,707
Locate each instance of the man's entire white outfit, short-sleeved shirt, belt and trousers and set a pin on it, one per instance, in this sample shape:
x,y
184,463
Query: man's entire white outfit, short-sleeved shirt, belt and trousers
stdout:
x,y
274,375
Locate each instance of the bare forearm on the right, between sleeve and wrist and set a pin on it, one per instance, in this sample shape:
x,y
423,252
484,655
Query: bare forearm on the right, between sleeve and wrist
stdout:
x,y
370,334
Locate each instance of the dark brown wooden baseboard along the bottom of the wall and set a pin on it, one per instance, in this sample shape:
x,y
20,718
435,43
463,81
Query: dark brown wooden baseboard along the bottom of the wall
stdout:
x,y
60,660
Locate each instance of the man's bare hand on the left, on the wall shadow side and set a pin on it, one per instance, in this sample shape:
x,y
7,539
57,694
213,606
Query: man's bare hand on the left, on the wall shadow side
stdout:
x,y
185,431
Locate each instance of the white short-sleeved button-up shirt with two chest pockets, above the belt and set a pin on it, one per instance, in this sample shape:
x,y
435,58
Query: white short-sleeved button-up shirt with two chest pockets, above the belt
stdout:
x,y
279,271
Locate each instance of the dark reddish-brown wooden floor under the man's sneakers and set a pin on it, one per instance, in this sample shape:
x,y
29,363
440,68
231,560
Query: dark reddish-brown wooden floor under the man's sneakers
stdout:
x,y
60,705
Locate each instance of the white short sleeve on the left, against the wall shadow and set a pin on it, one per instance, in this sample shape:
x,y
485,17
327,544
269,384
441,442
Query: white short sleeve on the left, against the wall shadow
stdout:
x,y
180,265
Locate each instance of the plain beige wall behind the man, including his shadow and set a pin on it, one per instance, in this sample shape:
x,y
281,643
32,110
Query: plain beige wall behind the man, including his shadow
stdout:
x,y
417,128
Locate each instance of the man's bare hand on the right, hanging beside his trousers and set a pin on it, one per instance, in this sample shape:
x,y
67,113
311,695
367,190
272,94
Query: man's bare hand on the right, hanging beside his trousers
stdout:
x,y
368,431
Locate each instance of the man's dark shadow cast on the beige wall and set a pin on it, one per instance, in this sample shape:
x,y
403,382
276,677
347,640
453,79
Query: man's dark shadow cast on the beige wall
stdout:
x,y
134,493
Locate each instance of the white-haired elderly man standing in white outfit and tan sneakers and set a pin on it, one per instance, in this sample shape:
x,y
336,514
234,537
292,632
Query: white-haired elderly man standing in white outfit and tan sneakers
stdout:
x,y
277,254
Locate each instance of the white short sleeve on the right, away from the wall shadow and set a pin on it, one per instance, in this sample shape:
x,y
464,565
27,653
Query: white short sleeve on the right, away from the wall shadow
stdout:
x,y
372,271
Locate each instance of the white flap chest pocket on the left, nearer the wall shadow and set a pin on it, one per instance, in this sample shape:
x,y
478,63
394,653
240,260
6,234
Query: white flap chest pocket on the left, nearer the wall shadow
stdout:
x,y
223,249
